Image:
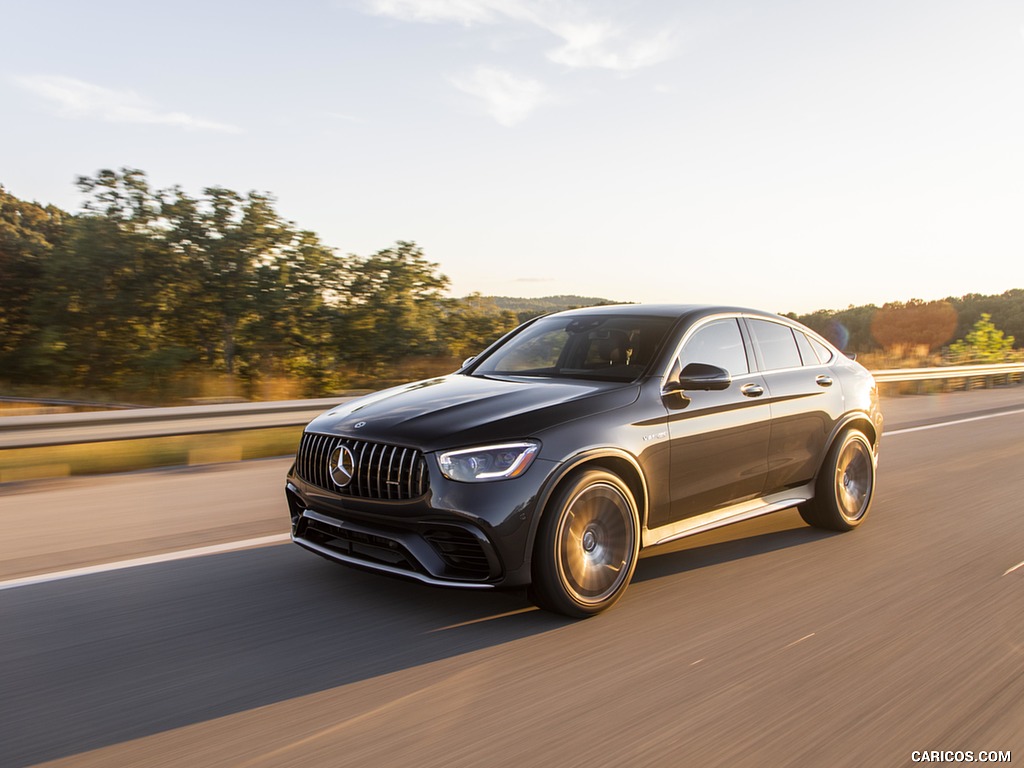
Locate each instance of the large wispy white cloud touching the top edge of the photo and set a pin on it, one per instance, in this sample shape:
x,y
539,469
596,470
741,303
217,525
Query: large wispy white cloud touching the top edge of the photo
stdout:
x,y
586,41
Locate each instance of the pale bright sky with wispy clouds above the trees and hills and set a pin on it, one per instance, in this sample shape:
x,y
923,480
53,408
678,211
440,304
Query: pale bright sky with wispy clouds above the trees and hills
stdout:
x,y
788,156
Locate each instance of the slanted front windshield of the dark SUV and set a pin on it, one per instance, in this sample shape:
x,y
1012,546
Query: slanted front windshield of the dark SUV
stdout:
x,y
602,347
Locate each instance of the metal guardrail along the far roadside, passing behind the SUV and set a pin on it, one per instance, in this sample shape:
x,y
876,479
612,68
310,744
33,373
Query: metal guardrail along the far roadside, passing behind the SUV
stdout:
x,y
71,430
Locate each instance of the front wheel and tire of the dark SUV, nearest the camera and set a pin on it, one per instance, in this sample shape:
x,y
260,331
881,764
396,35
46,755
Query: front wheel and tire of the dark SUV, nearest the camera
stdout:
x,y
587,546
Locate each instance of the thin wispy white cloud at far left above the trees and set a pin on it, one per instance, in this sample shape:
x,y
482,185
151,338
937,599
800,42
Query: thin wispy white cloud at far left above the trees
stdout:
x,y
80,101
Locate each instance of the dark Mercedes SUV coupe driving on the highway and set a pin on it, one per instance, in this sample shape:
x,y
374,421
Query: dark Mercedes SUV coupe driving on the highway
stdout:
x,y
572,443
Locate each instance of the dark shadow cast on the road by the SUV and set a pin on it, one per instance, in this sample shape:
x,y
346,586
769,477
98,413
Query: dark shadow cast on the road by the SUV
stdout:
x,y
122,656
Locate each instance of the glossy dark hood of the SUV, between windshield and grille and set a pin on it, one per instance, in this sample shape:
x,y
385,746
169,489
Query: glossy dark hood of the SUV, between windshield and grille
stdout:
x,y
459,410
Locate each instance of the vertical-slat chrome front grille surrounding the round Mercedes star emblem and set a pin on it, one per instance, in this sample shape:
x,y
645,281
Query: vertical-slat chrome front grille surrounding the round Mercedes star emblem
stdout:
x,y
387,473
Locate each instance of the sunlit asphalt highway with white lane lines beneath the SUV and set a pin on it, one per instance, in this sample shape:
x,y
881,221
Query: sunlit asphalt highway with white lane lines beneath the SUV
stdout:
x,y
764,645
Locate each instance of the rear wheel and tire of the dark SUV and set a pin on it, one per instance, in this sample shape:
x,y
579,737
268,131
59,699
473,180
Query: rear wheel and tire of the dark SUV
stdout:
x,y
845,487
